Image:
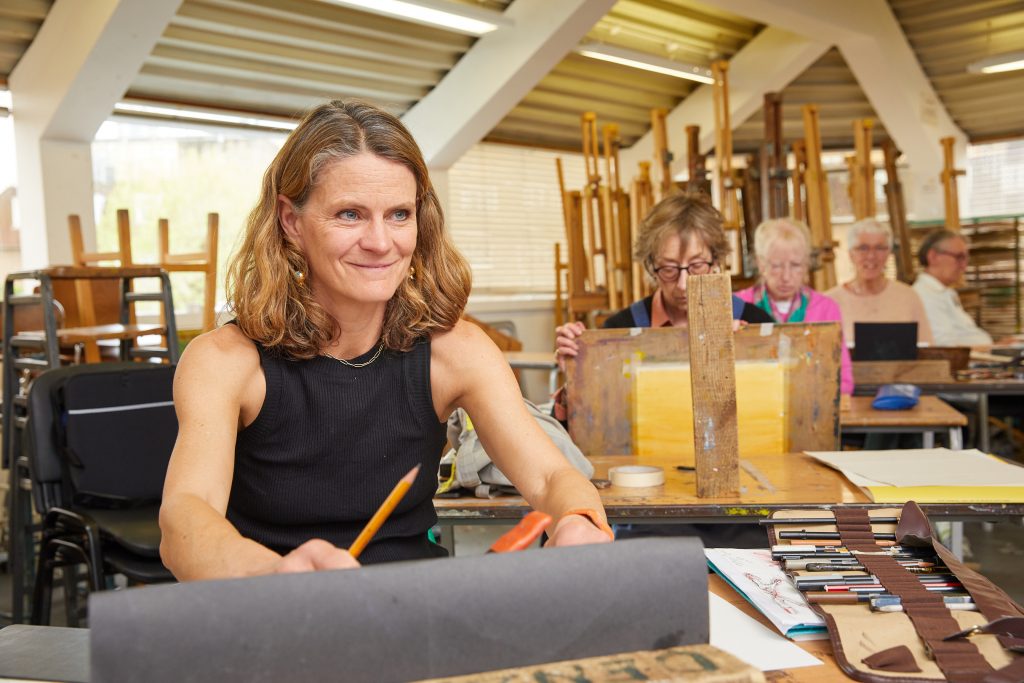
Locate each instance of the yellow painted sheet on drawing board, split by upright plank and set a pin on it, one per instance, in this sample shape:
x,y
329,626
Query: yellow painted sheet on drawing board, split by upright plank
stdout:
x,y
663,409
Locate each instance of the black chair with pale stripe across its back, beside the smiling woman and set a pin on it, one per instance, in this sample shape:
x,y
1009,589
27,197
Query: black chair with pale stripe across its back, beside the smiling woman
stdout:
x,y
99,440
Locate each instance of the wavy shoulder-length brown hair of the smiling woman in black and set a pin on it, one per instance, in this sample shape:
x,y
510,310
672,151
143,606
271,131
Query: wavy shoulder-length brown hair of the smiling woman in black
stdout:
x,y
274,308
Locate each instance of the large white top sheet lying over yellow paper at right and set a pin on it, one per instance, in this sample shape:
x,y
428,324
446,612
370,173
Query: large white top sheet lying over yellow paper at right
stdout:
x,y
923,467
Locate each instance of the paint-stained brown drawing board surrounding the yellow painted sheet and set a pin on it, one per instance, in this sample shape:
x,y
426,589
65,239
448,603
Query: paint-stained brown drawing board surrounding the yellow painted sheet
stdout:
x,y
601,380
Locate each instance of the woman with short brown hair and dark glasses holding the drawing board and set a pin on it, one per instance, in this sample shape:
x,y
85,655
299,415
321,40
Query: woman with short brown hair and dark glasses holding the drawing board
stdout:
x,y
682,236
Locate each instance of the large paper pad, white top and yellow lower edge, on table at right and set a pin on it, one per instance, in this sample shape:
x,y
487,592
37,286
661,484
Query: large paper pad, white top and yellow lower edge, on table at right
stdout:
x,y
929,476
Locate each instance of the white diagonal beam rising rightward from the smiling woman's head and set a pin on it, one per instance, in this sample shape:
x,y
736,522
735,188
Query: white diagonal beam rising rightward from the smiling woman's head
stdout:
x,y
497,73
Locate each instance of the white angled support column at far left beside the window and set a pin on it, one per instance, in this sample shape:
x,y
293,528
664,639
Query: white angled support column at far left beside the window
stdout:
x,y
80,65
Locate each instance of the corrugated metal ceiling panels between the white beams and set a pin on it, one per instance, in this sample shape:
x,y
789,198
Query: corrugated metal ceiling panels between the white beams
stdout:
x,y
277,58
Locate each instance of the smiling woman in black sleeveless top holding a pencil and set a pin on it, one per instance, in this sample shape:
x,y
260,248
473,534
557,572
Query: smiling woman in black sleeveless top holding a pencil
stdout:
x,y
346,358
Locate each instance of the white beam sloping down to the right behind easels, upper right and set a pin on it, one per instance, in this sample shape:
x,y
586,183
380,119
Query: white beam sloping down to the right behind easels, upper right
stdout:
x,y
874,46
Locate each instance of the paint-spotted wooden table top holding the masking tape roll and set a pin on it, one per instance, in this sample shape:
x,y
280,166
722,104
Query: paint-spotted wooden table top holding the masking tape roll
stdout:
x,y
767,483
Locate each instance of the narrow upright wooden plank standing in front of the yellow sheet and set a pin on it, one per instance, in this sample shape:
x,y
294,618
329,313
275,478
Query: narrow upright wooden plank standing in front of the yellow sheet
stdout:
x,y
713,382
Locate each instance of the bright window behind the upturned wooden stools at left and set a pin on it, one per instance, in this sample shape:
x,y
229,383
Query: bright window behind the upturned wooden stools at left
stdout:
x,y
181,174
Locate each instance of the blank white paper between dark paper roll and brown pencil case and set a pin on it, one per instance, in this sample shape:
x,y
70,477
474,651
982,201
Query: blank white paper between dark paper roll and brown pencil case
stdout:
x,y
746,638
